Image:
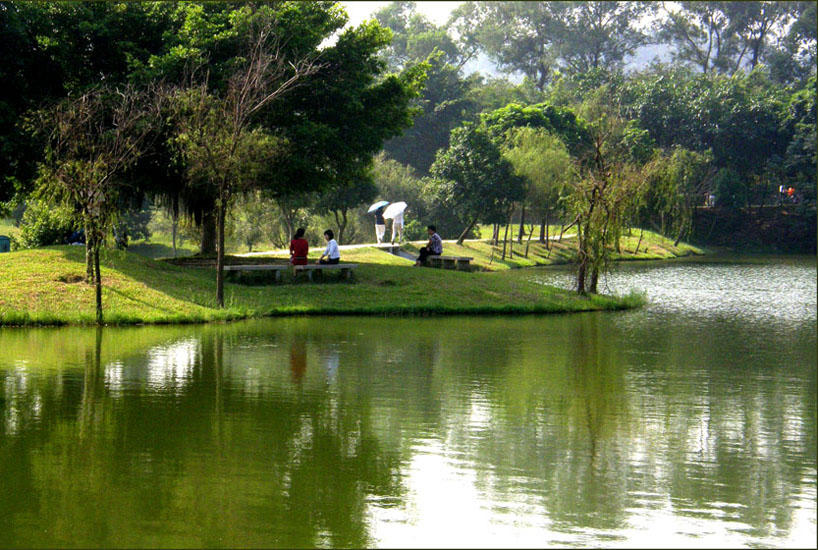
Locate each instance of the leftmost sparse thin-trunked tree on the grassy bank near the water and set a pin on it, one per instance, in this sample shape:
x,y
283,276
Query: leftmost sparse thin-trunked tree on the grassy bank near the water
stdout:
x,y
91,140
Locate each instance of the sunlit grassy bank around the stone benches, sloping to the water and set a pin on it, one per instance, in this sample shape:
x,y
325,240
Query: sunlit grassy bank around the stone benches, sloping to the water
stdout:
x,y
45,286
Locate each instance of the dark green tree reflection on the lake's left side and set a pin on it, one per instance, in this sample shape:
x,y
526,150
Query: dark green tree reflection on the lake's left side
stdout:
x,y
193,463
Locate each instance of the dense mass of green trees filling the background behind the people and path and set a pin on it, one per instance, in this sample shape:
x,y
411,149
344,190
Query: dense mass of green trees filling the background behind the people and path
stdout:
x,y
389,111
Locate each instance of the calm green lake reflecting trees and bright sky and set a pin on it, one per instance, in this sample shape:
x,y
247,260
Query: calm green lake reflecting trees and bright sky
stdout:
x,y
689,423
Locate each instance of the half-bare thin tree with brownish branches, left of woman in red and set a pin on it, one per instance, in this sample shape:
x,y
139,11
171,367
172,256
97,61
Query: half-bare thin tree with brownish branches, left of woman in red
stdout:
x,y
219,135
